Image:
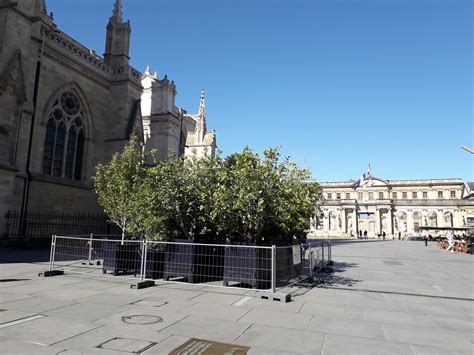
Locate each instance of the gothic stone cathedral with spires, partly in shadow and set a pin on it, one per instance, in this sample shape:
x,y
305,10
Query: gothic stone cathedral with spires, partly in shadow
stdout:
x,y
64,109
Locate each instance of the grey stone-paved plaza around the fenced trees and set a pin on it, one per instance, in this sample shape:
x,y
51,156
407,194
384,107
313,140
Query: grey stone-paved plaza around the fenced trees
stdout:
x,y
386,297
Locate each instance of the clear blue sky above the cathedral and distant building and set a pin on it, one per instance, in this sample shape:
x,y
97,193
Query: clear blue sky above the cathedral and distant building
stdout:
x,y
338,84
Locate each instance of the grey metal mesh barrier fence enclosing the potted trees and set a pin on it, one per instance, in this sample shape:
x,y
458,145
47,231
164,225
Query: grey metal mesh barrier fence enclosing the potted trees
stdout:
x,y
224,265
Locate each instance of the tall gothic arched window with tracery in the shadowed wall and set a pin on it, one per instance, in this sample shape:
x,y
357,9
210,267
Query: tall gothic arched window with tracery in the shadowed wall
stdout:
x,y
65,138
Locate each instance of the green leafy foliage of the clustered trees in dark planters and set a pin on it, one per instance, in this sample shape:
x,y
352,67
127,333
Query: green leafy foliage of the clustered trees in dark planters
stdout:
x,y
245,198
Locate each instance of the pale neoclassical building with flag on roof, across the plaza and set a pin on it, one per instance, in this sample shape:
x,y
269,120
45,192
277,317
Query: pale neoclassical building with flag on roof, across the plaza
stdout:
x,y
394,206
